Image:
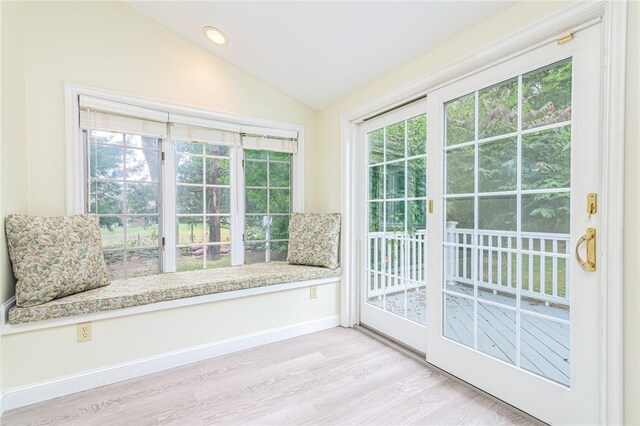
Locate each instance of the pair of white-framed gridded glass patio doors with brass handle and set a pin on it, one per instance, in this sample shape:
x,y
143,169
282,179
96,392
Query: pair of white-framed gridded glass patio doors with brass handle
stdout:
x,y
508,252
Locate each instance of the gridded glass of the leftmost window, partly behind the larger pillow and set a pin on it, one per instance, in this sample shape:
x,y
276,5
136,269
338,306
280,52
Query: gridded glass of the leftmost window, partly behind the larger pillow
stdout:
x,y
122,176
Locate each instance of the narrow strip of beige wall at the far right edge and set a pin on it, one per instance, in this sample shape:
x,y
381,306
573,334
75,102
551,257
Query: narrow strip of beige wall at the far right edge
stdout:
x,y
632,223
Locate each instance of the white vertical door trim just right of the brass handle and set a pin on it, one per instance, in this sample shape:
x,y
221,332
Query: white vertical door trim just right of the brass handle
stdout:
x,y
613,125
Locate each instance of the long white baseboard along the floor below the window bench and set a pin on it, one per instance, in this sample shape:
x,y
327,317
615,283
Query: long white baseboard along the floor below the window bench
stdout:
x,y
49,389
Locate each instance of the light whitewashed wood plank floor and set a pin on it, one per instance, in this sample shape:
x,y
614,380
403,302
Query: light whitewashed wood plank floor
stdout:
x,y
337,376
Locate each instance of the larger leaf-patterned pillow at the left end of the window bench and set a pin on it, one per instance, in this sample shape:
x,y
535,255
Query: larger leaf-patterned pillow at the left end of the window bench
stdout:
x,y
54,256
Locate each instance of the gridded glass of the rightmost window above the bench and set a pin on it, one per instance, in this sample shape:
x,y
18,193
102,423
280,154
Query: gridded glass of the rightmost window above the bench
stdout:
x,y
268,205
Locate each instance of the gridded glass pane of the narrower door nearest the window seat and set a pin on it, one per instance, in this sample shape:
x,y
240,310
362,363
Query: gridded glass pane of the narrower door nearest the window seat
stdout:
x,y
397,207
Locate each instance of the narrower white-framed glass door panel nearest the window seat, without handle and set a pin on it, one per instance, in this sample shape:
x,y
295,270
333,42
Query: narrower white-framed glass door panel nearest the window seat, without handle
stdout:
x,y
393,169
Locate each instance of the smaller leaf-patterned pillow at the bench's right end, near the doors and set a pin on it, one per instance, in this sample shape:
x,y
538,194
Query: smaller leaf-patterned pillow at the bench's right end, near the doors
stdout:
x,y
314,239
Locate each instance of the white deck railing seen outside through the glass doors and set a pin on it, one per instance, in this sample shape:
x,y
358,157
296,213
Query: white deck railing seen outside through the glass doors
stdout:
x,y
544,262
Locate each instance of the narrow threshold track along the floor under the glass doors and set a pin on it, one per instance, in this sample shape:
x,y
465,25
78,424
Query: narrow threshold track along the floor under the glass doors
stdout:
x,y
421,358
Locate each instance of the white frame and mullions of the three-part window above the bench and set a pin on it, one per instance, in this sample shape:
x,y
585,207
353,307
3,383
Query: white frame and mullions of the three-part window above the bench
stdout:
x,y
75,162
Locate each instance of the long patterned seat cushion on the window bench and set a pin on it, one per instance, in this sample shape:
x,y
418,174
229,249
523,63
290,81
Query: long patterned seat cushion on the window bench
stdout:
x,y
150,289
